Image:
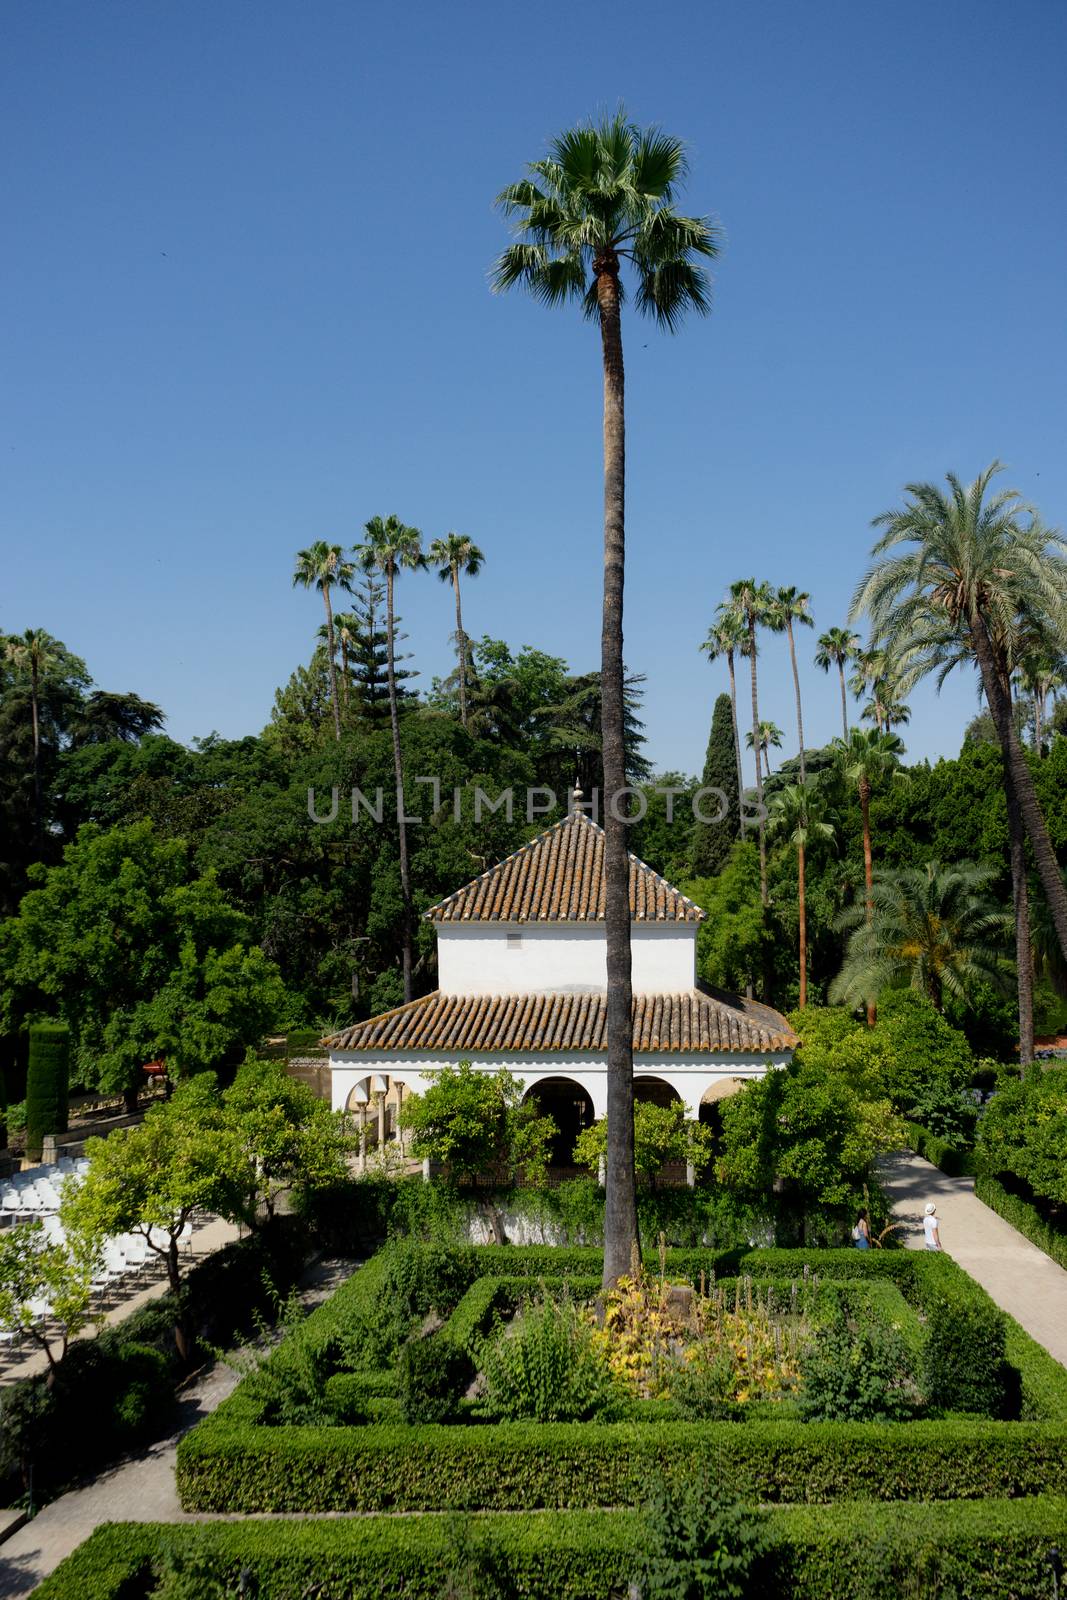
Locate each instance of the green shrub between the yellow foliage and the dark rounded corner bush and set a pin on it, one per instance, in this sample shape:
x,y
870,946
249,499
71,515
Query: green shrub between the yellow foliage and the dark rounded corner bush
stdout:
x,y
857,1372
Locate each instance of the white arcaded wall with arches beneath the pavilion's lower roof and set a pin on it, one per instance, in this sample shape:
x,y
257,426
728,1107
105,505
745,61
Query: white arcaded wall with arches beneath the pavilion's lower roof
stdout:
x,y
689,1076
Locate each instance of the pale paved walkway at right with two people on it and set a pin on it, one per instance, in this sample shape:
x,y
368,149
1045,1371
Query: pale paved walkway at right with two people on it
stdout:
x,y
1021,1279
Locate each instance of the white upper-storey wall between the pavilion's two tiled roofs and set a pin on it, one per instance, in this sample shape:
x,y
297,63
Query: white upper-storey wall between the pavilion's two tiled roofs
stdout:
x,y
476,959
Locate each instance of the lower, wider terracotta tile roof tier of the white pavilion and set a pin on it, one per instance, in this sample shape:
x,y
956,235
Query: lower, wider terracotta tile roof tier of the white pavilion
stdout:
x,y
700,1020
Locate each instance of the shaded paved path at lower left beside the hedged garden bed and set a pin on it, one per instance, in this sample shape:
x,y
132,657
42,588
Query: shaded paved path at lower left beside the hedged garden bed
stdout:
x,y
140,1489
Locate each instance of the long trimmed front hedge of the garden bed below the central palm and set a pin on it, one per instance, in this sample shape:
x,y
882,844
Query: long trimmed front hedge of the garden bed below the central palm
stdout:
x,y
226,1466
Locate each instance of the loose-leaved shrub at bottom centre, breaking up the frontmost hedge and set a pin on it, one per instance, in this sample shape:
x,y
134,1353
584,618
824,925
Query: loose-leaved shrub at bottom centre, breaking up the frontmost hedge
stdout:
x,y
701,1545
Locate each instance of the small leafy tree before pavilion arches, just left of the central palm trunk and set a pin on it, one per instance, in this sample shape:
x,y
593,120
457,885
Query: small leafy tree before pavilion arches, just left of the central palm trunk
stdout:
x,y
479,1122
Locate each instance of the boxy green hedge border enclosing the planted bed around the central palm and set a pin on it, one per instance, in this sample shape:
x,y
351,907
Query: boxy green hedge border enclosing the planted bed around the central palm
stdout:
x,y
973,1361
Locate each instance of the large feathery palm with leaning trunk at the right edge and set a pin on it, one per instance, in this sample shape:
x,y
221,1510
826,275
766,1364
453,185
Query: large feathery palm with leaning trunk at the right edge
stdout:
x,y
972,567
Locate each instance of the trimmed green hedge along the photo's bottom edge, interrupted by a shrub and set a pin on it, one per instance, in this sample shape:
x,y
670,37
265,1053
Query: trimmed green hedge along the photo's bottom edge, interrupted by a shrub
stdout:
x,y
986,1550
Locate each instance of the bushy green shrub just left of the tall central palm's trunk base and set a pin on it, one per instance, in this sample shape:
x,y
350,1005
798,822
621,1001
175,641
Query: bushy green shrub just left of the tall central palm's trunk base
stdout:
x,y
546,1367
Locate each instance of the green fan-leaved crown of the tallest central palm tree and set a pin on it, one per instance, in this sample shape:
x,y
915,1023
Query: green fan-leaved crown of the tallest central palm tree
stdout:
x,y
602,196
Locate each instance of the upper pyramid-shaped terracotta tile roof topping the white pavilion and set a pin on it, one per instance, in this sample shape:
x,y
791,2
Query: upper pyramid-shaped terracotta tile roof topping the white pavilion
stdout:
x,y
559,878
